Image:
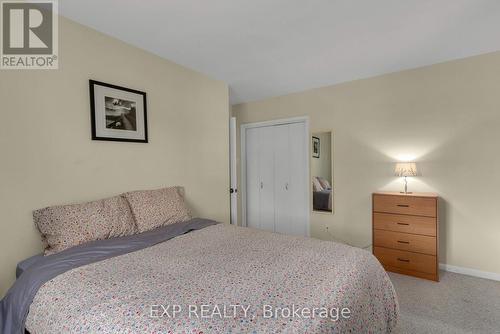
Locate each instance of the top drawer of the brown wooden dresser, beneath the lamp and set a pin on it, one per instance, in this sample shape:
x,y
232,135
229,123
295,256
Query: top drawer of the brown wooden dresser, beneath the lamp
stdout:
x,y
407,205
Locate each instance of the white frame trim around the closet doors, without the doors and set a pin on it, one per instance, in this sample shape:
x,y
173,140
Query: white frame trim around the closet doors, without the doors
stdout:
x,y
243,158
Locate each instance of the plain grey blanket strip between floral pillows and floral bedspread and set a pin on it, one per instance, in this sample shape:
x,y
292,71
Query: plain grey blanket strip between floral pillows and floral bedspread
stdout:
x,y
15,305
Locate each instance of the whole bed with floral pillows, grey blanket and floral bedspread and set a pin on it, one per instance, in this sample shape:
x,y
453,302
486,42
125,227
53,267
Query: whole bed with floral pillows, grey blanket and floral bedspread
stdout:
x,y
138,263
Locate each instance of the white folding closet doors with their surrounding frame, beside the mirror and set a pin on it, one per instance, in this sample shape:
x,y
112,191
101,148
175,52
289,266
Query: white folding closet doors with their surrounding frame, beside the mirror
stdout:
x,y
276,176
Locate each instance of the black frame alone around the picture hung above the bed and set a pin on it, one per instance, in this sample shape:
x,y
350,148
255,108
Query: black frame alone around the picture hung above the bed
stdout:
x,y
93,84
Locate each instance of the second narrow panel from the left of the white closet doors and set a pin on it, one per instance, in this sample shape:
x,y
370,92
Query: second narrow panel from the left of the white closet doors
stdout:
x,y
266,169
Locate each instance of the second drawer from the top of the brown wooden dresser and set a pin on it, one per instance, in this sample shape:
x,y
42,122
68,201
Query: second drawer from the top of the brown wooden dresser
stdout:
x,y
405,224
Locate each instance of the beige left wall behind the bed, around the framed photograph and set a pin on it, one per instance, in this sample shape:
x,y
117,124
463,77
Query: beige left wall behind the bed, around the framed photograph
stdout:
x,y
47,156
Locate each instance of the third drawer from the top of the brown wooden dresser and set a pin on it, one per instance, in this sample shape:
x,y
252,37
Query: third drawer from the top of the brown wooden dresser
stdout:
x,y
404,241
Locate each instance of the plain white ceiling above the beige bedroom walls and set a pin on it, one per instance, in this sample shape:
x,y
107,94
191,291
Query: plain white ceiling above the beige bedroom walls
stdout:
x,y
265,48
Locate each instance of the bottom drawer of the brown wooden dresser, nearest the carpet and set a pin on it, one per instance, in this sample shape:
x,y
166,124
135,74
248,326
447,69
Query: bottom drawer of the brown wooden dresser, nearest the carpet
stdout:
x,y
406,260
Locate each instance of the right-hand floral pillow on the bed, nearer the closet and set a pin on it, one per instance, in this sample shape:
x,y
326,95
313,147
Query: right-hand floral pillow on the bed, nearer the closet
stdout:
x,y
155,208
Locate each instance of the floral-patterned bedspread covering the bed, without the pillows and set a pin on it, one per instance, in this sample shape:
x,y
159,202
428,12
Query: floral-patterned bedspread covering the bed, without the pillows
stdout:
x,y
222,279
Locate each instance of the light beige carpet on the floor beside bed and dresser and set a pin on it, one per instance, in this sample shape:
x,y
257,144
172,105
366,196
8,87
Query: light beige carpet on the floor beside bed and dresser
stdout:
x,y
457,304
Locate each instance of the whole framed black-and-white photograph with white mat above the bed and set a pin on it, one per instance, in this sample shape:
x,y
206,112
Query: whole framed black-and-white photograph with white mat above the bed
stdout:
x,y
117,113
